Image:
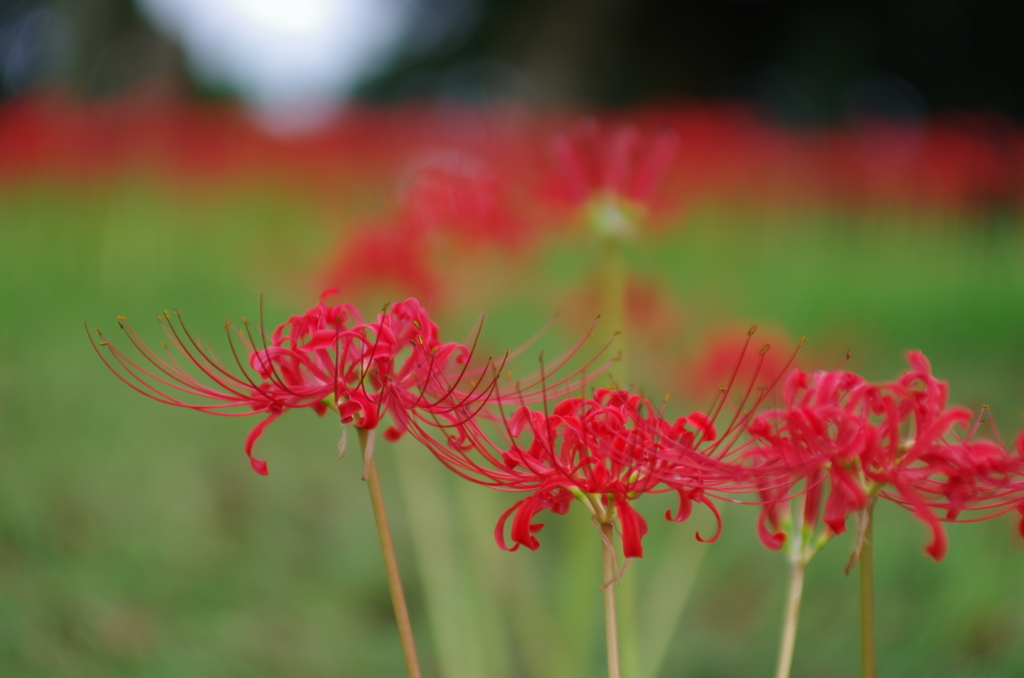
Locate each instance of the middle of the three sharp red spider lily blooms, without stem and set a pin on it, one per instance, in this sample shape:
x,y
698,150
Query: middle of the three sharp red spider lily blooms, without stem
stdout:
x,y
605,451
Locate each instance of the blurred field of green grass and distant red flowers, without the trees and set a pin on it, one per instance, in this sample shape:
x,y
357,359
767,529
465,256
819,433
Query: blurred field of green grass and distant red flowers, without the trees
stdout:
x,y
135,541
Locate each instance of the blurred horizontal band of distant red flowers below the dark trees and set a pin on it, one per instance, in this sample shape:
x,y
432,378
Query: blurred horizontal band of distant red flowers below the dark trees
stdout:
x,y
957,162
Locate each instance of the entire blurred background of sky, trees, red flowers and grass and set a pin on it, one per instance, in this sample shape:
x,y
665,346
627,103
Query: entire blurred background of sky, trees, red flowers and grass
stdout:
x,y
849,172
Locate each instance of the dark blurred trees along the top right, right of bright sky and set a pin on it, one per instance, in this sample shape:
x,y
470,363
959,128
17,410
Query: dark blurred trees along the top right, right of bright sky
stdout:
x,y
803,61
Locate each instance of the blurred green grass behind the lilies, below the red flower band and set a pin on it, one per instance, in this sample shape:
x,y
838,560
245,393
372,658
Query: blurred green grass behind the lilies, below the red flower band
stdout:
x,y
136,540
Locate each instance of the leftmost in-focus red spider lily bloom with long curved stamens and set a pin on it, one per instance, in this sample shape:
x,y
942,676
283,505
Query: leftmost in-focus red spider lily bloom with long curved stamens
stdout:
x,y
326,358
